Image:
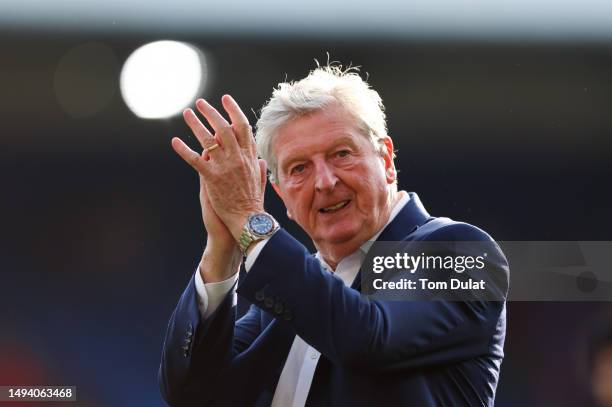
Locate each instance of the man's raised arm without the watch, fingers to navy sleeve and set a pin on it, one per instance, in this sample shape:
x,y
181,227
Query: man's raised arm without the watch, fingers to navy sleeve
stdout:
x,y
196,353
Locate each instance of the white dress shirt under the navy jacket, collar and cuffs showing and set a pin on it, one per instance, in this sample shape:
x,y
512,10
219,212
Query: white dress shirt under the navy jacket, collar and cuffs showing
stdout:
x,y
296,378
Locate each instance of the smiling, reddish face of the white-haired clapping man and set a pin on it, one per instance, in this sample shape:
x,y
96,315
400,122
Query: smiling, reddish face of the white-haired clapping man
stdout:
x,y
332,181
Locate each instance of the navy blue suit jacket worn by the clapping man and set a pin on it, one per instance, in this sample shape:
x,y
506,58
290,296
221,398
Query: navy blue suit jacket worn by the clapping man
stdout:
x,y
408,353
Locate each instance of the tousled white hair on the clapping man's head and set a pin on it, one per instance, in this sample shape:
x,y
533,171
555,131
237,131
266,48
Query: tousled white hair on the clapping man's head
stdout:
x,y
322,87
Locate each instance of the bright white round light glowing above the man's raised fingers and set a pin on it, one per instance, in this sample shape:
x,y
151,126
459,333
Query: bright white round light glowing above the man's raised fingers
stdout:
x,y
161,78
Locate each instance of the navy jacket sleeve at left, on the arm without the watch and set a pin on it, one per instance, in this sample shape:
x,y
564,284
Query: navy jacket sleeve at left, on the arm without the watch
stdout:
x,y
197,354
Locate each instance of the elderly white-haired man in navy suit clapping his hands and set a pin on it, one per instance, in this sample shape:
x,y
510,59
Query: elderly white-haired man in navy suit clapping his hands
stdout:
x,y
310,337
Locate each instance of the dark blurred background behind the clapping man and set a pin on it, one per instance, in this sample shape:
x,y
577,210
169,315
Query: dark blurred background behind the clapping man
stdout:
x,y
501,113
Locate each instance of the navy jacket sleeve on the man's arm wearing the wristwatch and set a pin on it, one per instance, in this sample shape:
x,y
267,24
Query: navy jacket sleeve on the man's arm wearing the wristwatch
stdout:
x,y
352,330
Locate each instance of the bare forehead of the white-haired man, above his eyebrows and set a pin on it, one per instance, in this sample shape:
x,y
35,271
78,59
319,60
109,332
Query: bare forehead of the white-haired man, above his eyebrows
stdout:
x,y
317,130
